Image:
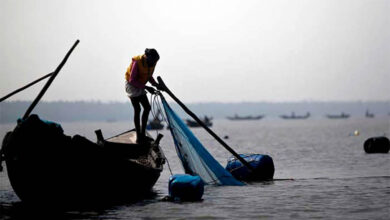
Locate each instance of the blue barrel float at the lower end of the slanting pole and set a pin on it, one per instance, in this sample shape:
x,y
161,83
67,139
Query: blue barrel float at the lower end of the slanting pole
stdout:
x,y
263,167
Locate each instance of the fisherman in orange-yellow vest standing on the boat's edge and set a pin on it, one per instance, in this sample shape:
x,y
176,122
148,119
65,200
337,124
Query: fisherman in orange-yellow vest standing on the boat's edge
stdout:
x,y
137,75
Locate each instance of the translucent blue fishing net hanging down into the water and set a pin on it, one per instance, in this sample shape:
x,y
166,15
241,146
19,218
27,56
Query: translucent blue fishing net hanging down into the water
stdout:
x,y
196,160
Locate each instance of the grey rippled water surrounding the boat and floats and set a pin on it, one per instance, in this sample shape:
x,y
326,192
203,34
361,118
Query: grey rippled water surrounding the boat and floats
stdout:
x,y
333,178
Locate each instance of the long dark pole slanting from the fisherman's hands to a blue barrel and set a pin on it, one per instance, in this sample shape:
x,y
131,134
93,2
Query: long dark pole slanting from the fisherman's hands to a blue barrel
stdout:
x,y
200,122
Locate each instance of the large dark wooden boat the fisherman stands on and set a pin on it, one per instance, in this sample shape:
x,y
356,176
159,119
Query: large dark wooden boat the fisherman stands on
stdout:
x,y
45,166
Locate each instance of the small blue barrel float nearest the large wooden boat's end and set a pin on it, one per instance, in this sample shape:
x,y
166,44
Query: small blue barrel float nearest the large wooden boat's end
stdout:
x,y
184,187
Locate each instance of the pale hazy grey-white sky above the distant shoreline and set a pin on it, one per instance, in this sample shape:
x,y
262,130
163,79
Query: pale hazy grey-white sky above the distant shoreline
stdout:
x,y
211,50
